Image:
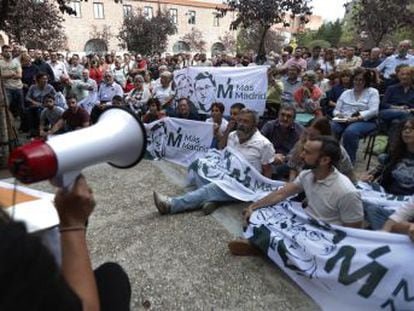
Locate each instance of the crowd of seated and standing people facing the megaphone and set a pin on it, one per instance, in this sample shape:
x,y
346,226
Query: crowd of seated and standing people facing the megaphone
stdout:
x,y
319,104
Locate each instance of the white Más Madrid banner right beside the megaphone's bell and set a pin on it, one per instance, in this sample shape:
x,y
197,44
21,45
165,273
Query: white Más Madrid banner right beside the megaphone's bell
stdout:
x,y
178,140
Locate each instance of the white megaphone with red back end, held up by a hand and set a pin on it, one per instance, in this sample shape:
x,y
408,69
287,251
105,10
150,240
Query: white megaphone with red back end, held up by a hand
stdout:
x,y
117,138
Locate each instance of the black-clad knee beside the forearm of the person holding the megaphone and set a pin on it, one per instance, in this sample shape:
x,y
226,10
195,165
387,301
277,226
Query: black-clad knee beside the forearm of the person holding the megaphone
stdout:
x,y
114,288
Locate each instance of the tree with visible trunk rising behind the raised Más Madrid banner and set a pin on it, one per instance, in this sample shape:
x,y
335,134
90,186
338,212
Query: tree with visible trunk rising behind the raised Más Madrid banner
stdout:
x,y
266,13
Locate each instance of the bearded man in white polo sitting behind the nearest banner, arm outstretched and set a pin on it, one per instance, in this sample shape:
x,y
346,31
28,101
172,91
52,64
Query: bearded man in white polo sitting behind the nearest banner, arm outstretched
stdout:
x,y
332,197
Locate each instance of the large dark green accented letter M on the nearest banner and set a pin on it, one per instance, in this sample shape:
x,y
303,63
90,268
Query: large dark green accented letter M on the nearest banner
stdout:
x,y
373,270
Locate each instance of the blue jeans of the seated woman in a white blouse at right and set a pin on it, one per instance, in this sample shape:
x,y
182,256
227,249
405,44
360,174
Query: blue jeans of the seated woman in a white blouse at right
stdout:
x,y
351,134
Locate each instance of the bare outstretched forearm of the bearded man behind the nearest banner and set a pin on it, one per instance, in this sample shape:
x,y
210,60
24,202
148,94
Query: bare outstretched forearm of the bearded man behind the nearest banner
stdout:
x,y
273,198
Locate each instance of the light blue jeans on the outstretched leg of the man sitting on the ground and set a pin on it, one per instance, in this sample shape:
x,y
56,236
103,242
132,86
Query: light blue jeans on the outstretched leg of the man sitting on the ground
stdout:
x,y
206,192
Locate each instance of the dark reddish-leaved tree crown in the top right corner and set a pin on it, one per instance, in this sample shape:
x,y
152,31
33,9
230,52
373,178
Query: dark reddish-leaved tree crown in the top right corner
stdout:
x,y
374,18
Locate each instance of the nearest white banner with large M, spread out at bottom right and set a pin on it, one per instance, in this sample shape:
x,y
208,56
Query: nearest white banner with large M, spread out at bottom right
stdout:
x,y
340,268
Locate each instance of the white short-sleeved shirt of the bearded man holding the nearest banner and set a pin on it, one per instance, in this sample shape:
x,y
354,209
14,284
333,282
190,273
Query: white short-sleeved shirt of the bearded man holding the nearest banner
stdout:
x,y
334,199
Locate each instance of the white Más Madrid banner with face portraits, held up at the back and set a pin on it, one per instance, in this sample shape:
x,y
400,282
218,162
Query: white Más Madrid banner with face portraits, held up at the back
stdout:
x,y
228,85
